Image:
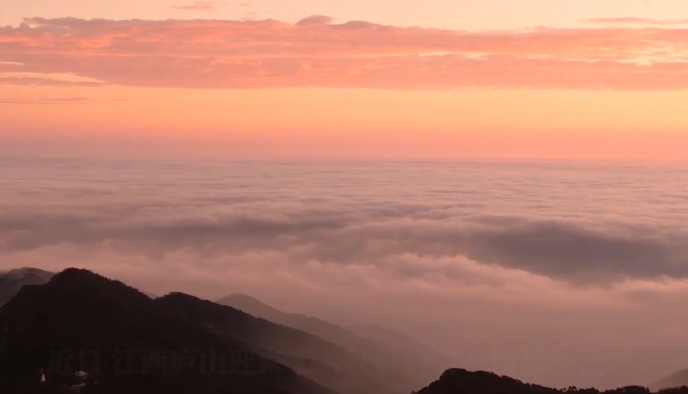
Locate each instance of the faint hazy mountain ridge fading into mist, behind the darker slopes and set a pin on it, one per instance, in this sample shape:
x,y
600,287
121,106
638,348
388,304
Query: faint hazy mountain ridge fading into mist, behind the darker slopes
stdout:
x,y
415,364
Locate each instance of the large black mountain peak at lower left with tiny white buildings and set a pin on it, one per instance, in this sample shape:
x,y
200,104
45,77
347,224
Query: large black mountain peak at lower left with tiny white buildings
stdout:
x,y
127,342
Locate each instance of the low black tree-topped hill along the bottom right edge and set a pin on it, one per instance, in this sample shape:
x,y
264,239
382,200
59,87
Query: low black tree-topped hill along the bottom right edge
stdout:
x,y
460,381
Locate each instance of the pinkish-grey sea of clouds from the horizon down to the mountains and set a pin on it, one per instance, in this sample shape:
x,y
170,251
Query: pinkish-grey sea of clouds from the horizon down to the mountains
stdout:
x,y
558,273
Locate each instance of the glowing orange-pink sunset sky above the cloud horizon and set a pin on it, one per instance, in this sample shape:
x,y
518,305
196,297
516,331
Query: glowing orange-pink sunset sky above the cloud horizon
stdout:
x,y
346,78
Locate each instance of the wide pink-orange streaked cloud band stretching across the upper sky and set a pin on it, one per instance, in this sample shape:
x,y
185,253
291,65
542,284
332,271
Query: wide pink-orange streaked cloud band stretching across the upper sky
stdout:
x,y
318,53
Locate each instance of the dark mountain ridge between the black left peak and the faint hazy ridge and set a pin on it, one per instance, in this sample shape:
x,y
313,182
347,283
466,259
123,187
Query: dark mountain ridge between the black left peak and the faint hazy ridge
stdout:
x,y
312,356
